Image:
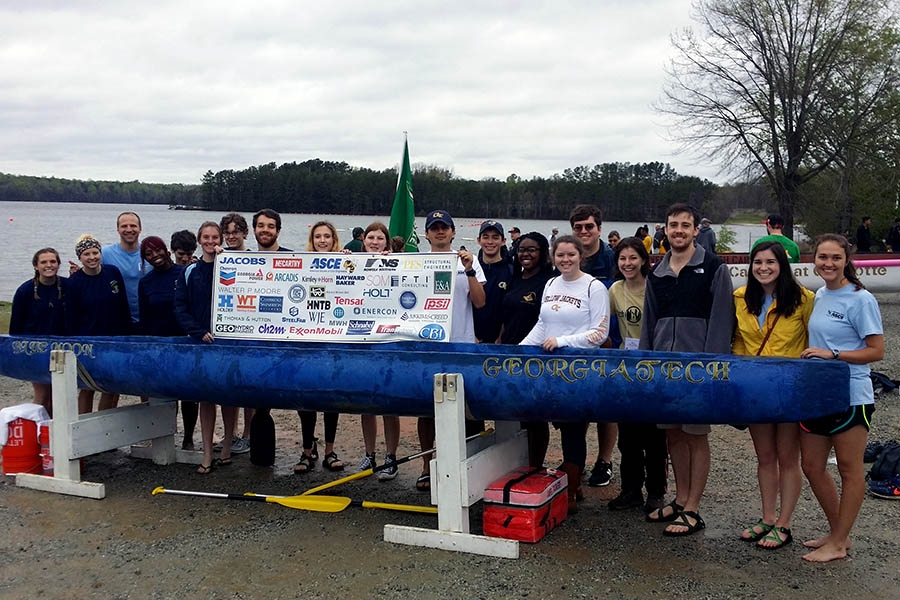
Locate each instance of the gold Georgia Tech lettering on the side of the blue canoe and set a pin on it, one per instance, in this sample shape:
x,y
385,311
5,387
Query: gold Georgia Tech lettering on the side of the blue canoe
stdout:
x,y
577,369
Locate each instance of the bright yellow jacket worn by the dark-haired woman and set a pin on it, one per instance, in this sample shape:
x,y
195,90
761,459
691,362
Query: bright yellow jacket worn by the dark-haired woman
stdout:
x,y
789,338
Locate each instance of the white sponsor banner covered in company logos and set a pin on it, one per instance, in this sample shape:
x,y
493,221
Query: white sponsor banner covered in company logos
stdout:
x,y
308,296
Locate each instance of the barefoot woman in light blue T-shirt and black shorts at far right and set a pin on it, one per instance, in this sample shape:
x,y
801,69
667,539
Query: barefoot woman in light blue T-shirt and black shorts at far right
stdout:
x,y
845,325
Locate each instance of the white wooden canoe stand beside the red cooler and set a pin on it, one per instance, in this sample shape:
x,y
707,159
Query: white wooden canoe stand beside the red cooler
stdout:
x,y
458,481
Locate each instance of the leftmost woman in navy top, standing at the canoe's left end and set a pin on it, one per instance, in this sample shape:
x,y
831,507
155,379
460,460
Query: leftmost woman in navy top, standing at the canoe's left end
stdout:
x,y
39,308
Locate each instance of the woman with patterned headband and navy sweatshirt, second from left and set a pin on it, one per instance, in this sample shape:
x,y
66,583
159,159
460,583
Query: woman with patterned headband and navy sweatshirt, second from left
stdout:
x,y
96,305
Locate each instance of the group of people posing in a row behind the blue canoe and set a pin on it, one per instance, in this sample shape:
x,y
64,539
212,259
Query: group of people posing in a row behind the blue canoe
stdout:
x,y
548,296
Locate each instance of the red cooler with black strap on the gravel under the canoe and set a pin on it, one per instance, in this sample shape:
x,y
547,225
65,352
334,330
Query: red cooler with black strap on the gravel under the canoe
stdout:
x,y
525,504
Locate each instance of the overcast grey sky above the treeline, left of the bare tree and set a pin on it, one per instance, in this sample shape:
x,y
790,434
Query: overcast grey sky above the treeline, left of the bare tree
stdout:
x,y
162,91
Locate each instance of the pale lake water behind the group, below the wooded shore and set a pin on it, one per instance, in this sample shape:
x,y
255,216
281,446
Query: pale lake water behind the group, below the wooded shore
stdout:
x,y
29,226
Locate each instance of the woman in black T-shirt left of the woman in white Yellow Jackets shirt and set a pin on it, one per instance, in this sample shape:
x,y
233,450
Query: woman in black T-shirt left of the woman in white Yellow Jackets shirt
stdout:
x,y
521,308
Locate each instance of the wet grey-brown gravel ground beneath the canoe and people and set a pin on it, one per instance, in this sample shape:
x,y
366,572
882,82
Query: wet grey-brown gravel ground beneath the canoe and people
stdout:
x,y
134,545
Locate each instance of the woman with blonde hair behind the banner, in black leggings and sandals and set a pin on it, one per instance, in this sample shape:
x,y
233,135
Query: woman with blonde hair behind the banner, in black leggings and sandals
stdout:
x,y
322,238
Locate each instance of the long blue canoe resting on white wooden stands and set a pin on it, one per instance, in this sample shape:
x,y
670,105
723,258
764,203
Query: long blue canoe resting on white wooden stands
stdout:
x,y
501,382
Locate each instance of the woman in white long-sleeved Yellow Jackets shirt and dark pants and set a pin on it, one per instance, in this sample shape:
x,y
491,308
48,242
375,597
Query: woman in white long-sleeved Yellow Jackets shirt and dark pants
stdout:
x,y
574,312
